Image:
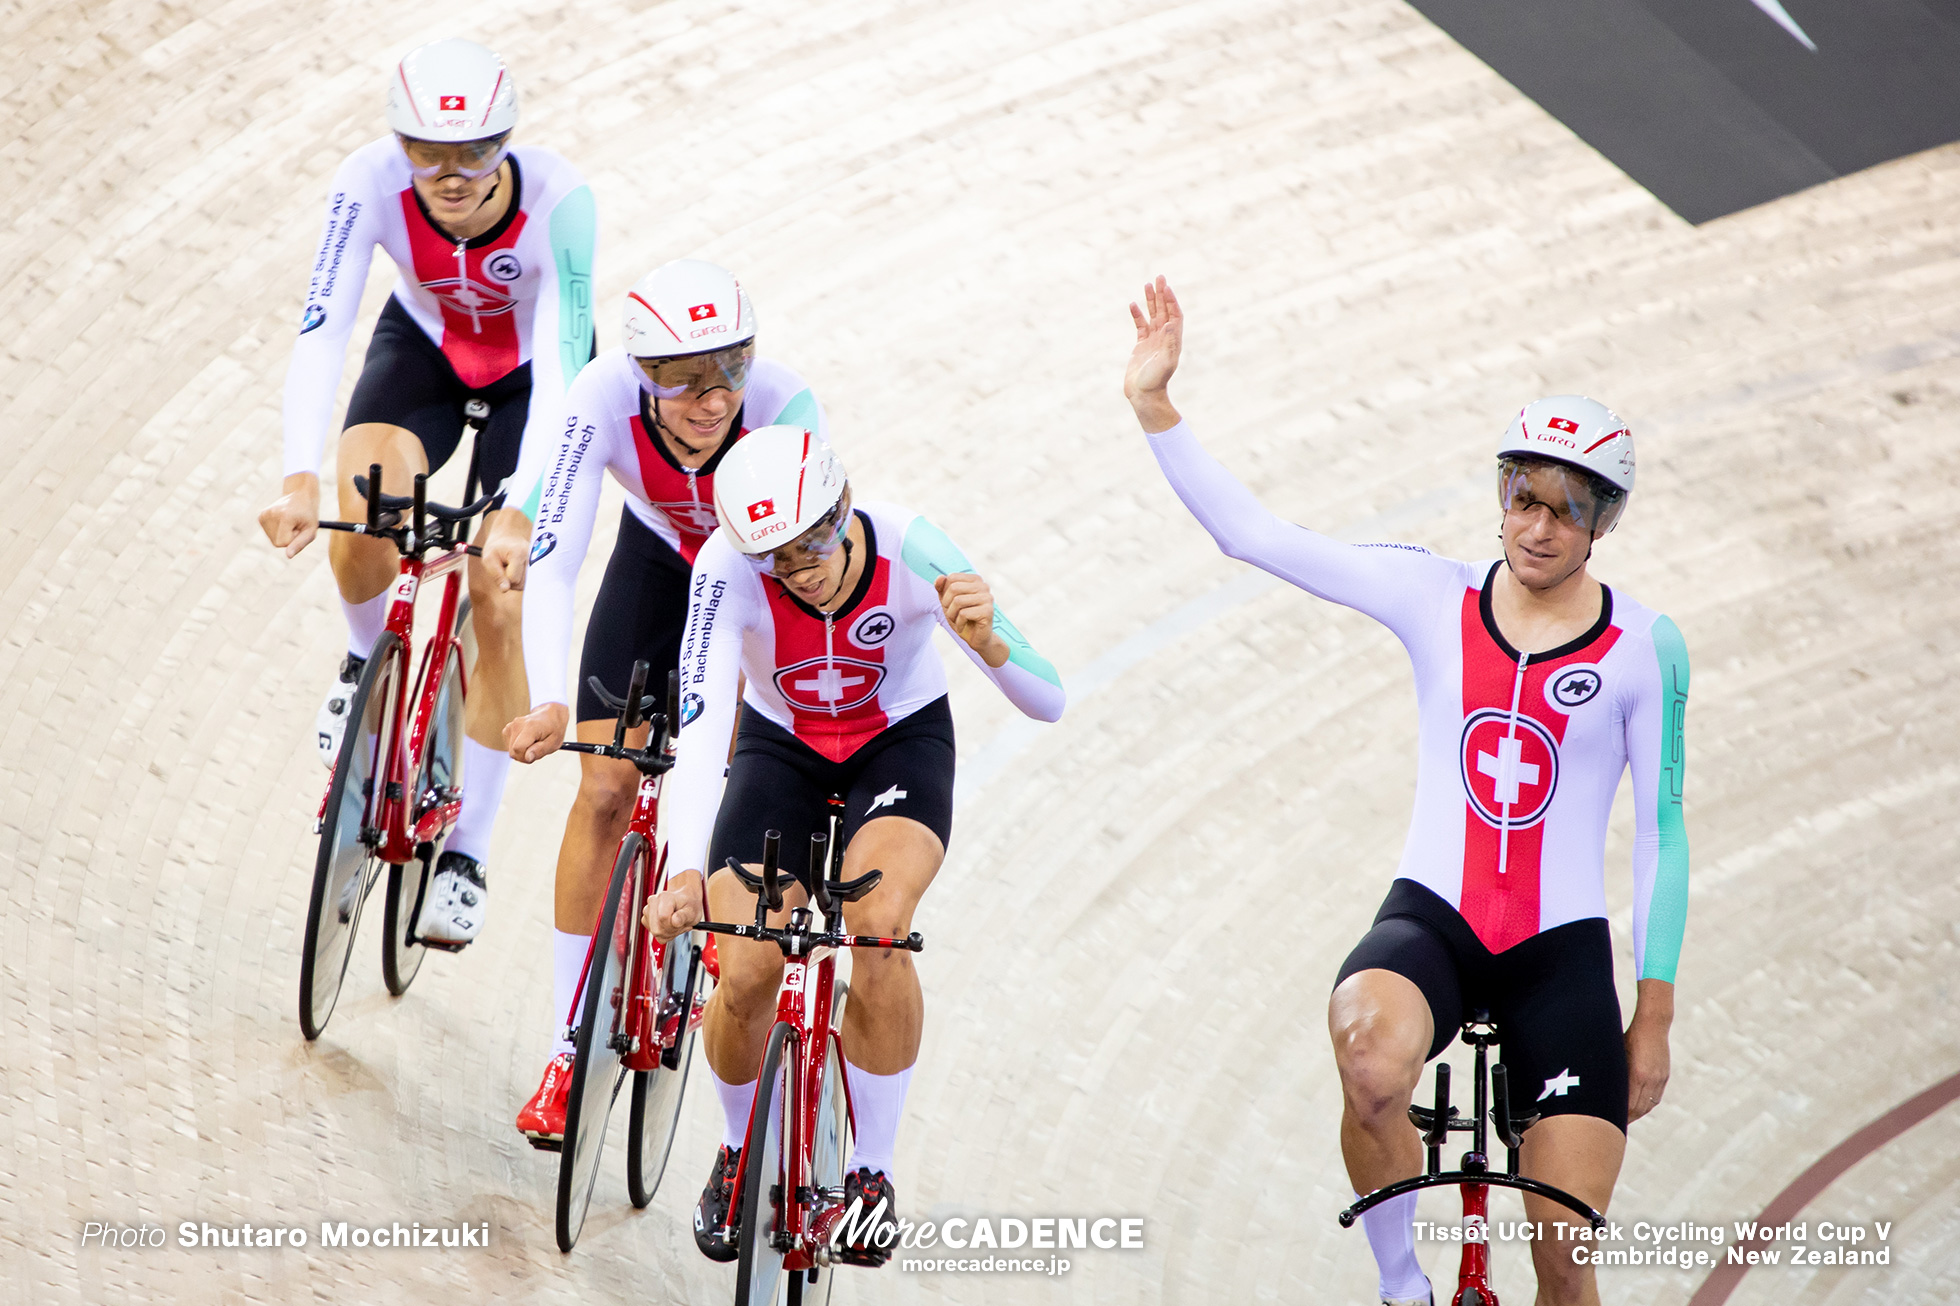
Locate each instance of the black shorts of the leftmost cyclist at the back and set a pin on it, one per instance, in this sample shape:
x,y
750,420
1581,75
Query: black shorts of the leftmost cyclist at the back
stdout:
x,y
407,381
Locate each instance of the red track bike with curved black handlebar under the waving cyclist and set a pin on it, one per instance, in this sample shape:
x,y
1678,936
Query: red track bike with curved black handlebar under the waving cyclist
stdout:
x,y
1473,1176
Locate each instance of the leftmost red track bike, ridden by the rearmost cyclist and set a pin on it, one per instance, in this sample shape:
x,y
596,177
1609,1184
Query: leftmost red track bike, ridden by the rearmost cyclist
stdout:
x,y
397,787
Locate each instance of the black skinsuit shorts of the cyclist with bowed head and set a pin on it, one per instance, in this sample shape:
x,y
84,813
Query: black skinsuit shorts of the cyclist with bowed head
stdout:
x,y
781,783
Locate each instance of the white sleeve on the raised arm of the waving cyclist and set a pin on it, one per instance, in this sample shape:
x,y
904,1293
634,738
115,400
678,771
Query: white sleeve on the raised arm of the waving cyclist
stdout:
x,y
1391,583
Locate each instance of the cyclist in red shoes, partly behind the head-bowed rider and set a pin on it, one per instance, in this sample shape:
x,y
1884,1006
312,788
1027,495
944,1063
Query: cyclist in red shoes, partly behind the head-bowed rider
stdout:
x,y
660,415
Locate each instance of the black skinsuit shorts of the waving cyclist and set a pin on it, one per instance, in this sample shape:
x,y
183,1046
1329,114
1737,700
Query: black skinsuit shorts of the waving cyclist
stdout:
x,y
1551,997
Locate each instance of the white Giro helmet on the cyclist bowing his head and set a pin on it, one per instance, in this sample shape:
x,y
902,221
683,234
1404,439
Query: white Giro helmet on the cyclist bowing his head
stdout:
x,y
775,485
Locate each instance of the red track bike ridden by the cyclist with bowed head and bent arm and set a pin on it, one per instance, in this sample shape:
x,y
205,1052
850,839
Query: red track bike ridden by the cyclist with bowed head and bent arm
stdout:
x,y
791,1183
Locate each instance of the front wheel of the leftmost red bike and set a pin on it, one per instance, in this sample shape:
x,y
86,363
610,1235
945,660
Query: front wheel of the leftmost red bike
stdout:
x,y
348,868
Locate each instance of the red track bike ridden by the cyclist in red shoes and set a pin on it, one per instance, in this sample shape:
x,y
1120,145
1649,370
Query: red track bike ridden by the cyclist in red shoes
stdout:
x,y
638,1001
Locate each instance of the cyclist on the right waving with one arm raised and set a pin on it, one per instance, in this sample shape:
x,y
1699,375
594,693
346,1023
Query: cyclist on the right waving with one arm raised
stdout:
x,y
1536,689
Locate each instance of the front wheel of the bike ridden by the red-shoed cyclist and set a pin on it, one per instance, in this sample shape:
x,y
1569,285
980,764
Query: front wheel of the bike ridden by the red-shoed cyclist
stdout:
x,y
597,1072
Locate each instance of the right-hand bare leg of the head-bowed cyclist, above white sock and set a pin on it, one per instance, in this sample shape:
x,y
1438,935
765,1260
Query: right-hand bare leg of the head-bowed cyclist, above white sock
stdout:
x,y
887,1011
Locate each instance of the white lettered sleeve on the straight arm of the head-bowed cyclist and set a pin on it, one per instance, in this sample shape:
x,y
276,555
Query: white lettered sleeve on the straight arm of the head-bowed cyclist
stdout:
x,y
722,607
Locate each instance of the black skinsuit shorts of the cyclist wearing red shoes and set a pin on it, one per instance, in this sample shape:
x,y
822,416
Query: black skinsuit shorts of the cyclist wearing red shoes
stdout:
x,y
642,611
